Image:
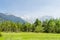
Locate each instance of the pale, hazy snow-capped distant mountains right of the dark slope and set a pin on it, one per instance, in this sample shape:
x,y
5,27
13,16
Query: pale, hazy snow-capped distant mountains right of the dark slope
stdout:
x,y
32,19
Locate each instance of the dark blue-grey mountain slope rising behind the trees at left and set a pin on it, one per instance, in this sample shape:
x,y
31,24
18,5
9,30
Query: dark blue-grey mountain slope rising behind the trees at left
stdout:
x,y
11,18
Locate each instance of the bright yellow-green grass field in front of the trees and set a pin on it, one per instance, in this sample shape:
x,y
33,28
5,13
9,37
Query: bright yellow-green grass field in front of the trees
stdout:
x,y
29,36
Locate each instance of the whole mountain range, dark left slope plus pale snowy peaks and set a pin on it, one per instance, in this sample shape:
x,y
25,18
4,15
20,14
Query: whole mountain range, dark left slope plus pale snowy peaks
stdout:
x,y
22,19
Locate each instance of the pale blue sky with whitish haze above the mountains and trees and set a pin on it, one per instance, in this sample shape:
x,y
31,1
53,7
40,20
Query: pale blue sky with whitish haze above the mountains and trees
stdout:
x,y
32,8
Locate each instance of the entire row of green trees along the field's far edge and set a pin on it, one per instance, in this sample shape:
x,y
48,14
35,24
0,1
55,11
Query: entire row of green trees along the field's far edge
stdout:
x,y
47,26
